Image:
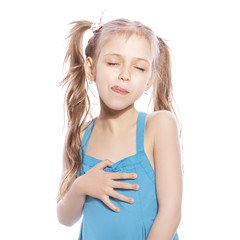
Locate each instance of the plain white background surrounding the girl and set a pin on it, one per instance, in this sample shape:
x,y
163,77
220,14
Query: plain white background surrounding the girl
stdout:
x,y
204,40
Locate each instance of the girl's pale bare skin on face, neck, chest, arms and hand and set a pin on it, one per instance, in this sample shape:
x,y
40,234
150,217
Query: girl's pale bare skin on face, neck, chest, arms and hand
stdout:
x,y
128,64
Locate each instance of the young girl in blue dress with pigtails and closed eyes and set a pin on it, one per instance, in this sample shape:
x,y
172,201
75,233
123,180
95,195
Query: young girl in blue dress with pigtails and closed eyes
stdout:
x,y
122,169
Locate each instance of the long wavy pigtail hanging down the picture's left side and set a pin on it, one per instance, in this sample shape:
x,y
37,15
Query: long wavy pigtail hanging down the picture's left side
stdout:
x,y
77,103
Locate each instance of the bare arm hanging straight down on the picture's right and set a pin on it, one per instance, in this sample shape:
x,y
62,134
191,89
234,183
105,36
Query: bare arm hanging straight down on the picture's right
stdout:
x,y
168,171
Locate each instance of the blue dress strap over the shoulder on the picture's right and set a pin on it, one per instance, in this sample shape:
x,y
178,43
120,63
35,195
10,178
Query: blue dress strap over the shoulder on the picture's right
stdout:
x,y
140,131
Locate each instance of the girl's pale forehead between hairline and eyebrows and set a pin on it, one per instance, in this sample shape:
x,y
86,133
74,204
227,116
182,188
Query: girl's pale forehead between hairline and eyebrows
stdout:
x,y
134,46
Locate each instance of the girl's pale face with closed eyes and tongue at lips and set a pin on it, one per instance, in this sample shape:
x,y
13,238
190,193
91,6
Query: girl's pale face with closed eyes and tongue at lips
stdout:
x,y
123,71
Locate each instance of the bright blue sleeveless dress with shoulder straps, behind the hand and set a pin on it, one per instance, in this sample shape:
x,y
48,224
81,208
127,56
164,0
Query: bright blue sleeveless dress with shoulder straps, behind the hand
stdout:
x,y
134,220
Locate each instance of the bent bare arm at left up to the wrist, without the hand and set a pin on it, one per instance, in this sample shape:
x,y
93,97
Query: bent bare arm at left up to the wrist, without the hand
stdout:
x,y
69,208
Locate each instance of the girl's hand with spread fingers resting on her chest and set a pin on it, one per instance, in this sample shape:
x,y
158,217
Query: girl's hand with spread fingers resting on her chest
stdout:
x,y
100,184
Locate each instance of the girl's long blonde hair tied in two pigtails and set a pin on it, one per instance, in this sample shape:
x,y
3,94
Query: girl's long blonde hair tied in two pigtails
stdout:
x,y
76,97
